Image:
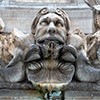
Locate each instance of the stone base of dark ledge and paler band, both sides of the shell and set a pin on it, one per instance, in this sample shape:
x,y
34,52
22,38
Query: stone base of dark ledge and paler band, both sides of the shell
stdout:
x,y
25,91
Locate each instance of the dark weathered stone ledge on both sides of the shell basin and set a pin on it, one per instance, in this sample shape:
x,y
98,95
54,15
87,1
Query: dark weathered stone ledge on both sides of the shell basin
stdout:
x,y
74,86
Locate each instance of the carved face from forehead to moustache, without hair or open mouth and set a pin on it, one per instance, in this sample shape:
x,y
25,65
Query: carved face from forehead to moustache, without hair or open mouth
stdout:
x,y
51,25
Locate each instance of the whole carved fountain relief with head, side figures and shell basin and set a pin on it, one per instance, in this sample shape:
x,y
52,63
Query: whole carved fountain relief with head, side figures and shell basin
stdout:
x,y
50,57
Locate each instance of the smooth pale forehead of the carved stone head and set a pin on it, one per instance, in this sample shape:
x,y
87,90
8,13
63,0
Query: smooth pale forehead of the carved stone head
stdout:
x,y
51,16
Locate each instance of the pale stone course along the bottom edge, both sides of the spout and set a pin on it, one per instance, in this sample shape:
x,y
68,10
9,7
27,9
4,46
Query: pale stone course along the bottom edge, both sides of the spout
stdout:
x,y
6,94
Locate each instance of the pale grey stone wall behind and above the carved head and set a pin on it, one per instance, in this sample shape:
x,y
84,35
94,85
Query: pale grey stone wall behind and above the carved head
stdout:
x,y
19,13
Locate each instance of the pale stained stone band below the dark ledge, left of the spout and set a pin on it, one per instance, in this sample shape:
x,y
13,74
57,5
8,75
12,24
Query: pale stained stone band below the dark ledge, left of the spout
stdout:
x,y
6,94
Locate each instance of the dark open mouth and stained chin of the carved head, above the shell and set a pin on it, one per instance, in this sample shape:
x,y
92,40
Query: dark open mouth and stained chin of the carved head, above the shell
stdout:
x,y
50,46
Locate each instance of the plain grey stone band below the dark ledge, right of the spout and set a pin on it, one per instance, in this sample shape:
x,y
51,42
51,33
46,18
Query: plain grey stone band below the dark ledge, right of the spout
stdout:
x,y
82,95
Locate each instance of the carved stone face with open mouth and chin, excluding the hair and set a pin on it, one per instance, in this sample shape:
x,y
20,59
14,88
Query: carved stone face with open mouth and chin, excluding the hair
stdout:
x,y
51,34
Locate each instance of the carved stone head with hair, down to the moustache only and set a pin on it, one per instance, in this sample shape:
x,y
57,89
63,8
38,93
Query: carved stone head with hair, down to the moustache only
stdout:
x,y
50,22
